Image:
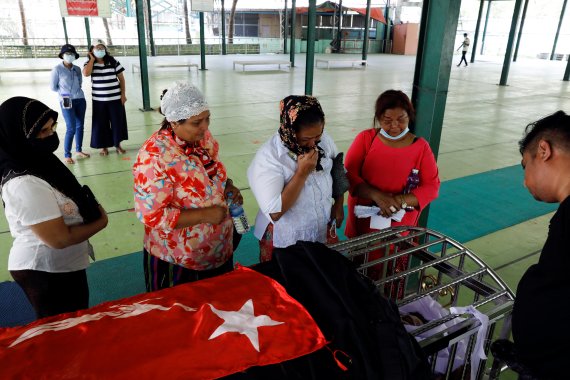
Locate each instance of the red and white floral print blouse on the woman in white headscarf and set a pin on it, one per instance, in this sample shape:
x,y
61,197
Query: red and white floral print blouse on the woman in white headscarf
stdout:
x,y
166,181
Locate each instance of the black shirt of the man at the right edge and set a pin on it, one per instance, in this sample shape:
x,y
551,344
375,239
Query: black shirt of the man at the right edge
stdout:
x,y
541,314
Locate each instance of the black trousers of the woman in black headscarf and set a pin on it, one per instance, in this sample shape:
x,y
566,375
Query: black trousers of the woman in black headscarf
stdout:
x,y
54,293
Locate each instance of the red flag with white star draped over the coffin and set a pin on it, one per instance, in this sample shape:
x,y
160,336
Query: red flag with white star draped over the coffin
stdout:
x,y
207,329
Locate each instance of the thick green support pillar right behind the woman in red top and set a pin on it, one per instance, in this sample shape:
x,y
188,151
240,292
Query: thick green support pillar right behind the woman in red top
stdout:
x,y
433,67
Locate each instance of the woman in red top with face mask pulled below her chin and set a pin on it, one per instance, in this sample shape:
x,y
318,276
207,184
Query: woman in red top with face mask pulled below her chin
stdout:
x,y
380,160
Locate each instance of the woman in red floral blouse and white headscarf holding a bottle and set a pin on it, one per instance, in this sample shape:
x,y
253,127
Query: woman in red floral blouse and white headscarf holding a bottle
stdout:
x,y
181,190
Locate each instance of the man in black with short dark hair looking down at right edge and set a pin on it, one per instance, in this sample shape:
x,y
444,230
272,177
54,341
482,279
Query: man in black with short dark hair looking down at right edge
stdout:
x,y
542,307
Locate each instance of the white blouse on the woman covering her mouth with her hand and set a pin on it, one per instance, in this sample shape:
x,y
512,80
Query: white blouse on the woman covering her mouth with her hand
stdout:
x,y
271,169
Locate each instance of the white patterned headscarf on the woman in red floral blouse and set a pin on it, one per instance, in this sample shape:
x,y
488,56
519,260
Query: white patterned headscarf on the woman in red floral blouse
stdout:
x,y
182,101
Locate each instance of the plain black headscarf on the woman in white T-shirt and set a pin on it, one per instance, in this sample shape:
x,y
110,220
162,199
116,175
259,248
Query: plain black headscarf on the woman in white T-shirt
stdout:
x,y
21,153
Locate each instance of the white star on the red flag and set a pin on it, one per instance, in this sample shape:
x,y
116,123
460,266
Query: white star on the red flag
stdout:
x,y
242,321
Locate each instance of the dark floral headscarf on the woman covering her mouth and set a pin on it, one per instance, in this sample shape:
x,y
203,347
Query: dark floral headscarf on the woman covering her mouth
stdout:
x,y
291,108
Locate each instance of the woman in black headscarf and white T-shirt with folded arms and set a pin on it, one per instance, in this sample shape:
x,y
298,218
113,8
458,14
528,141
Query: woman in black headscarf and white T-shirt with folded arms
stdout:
x,y
49,213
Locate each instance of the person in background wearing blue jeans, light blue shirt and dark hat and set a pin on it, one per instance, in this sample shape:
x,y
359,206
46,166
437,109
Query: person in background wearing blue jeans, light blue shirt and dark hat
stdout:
x,y
66,80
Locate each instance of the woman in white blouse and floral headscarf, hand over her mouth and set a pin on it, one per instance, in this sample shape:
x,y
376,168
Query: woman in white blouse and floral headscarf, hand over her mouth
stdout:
x,y
290,177
